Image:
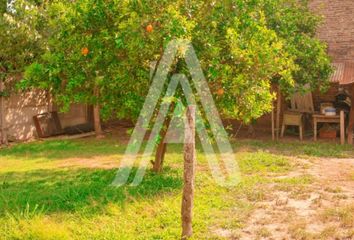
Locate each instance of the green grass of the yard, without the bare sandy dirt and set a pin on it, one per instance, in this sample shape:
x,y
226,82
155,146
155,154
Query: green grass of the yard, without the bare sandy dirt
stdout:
x,y
60,190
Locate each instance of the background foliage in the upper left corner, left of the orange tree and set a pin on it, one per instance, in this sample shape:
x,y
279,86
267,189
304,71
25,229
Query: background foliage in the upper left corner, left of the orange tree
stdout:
x,y
20,42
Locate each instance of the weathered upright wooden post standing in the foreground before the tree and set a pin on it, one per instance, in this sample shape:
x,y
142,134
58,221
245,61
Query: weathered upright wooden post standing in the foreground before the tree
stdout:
x,y
189,171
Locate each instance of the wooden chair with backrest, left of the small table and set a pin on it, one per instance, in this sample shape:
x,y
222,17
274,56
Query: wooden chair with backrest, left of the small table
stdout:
x,y
300,105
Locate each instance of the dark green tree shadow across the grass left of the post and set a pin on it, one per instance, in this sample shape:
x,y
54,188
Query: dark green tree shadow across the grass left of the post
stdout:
x,y
81,190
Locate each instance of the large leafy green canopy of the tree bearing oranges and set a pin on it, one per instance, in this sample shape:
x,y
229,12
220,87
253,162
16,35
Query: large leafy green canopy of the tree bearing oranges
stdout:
x,y
99,51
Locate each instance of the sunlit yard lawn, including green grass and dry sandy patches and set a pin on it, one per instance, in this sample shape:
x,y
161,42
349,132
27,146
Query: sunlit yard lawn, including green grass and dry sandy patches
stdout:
x,y
60,190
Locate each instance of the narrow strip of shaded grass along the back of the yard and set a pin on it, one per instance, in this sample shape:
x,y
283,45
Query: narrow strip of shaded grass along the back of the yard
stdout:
x,y
90,148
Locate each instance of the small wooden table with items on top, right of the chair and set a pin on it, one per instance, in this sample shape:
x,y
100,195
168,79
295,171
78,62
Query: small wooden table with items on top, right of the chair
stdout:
x,y
321,118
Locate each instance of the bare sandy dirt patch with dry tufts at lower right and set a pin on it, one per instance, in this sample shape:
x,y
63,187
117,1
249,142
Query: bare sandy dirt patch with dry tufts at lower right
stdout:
x,y
315,201
